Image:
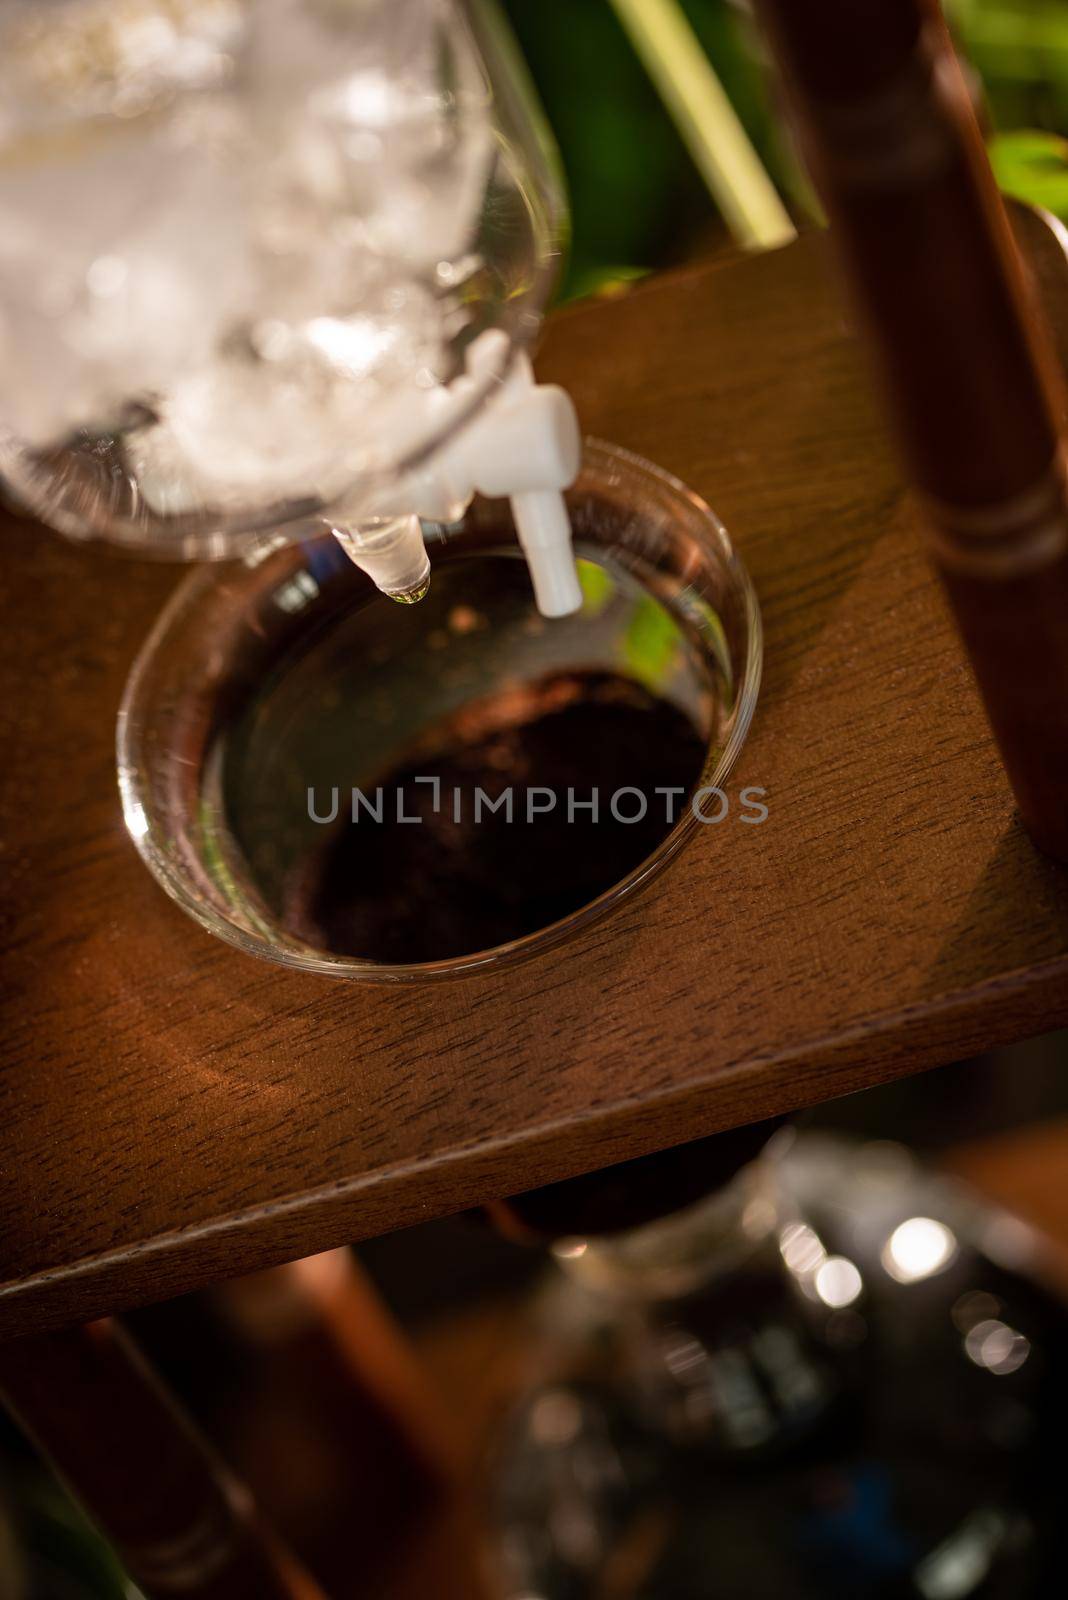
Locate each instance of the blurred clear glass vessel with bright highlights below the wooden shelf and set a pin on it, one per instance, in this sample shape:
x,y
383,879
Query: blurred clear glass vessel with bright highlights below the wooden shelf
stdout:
x,y
842,1375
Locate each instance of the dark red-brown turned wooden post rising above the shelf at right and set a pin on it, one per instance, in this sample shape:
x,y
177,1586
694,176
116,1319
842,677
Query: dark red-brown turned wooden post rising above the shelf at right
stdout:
x,y
895,146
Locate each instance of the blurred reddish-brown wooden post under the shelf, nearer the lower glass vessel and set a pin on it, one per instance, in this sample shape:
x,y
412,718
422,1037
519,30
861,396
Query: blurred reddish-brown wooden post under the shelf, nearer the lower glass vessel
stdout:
x,y
338,1433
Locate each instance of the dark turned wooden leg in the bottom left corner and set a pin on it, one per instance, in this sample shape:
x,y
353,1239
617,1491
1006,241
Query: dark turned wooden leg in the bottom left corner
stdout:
x,y
178,1521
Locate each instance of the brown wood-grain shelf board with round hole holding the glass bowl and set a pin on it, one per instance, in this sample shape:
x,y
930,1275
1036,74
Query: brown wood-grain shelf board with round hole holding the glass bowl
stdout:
x,y
173,1113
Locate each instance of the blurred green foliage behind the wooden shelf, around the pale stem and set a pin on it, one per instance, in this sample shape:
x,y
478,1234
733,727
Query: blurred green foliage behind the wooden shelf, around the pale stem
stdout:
x,y
637,199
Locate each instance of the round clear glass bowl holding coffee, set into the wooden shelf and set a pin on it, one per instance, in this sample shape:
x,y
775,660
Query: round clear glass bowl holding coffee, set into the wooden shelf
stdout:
x,y
281,687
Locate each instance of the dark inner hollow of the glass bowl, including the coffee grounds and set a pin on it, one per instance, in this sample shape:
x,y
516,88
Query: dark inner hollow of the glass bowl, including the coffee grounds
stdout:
x,y
471,689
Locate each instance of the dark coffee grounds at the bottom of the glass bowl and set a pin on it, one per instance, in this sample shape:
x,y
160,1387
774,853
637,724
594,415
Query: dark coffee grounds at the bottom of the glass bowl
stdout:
x,y
450,884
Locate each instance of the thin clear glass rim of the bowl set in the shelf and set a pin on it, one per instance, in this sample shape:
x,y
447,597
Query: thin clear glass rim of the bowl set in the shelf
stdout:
x,y
498,956
